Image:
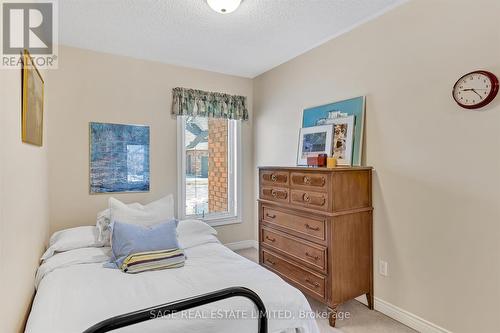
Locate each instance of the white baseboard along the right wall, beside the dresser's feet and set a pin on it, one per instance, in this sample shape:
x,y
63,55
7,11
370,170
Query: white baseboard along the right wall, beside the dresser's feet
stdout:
x,y
409,319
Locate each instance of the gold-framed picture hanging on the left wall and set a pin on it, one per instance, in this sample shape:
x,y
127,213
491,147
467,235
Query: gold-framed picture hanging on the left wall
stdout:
x,y
32,113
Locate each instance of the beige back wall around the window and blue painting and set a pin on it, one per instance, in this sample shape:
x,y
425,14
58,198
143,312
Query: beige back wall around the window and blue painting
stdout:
x,y
91,86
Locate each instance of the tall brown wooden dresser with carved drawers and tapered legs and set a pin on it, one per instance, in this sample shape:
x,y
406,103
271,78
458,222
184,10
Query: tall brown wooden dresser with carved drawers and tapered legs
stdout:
x,y
315,231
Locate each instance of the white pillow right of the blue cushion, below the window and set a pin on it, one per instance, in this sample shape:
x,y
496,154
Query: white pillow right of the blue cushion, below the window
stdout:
x,y
191,233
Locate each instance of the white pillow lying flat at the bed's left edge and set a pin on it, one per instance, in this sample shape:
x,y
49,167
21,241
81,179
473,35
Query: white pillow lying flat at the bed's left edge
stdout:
x,y
73,238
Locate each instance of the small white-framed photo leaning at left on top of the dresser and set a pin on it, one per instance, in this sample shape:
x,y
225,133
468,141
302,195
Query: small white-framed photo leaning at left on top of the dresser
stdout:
x,y
314,141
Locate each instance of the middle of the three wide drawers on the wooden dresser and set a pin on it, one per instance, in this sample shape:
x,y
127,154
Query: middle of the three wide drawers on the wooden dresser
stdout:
x,y
311,254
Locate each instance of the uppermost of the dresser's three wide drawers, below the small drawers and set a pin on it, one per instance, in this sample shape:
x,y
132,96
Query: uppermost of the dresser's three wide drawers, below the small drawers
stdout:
x,y
303,225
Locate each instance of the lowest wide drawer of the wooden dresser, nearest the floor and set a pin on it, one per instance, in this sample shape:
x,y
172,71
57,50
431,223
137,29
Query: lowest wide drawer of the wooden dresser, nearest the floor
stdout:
x,y
314,283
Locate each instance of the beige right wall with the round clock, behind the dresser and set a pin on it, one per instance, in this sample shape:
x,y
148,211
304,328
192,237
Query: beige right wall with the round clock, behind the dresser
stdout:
x,y
437,166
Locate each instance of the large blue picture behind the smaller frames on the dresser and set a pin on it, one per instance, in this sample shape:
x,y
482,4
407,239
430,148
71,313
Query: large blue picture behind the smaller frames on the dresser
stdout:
x,y
321,115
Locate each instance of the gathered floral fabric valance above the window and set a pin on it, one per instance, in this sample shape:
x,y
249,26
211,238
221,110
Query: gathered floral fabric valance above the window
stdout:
x,y
190,102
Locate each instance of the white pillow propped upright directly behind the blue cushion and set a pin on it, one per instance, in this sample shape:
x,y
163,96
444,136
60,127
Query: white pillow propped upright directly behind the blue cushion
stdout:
x,y
155,212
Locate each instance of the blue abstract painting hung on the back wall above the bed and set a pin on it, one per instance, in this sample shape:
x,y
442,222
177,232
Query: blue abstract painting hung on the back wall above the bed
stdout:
x,y
119,158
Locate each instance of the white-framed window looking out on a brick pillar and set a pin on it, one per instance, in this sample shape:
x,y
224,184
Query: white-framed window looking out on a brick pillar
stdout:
x,y
209,169
